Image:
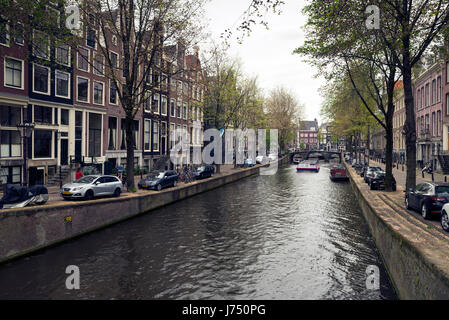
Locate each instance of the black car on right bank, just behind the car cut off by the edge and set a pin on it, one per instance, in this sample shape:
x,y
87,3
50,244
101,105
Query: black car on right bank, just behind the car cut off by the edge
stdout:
x,y
427,198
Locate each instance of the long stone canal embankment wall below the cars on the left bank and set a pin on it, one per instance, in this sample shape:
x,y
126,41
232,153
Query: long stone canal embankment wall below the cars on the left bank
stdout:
x,y
29,229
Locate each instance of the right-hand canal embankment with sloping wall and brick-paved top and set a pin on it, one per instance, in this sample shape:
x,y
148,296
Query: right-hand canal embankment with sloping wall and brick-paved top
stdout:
x,y
415,252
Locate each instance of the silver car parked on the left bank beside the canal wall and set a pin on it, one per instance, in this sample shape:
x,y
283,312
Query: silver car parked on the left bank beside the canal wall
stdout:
x,y
89,187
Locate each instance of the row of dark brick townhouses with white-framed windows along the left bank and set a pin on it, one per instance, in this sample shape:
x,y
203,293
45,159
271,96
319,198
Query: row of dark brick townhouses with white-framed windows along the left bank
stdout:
x,y
75,109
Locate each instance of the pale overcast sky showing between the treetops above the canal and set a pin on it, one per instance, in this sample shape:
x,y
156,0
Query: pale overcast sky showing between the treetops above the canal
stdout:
x,y
268,53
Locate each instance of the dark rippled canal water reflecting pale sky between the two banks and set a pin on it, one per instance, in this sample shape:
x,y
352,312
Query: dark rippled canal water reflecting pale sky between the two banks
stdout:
x,y
287,236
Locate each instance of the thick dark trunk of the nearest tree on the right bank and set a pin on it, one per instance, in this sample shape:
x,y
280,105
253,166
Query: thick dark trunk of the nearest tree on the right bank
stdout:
x,y
410,125
